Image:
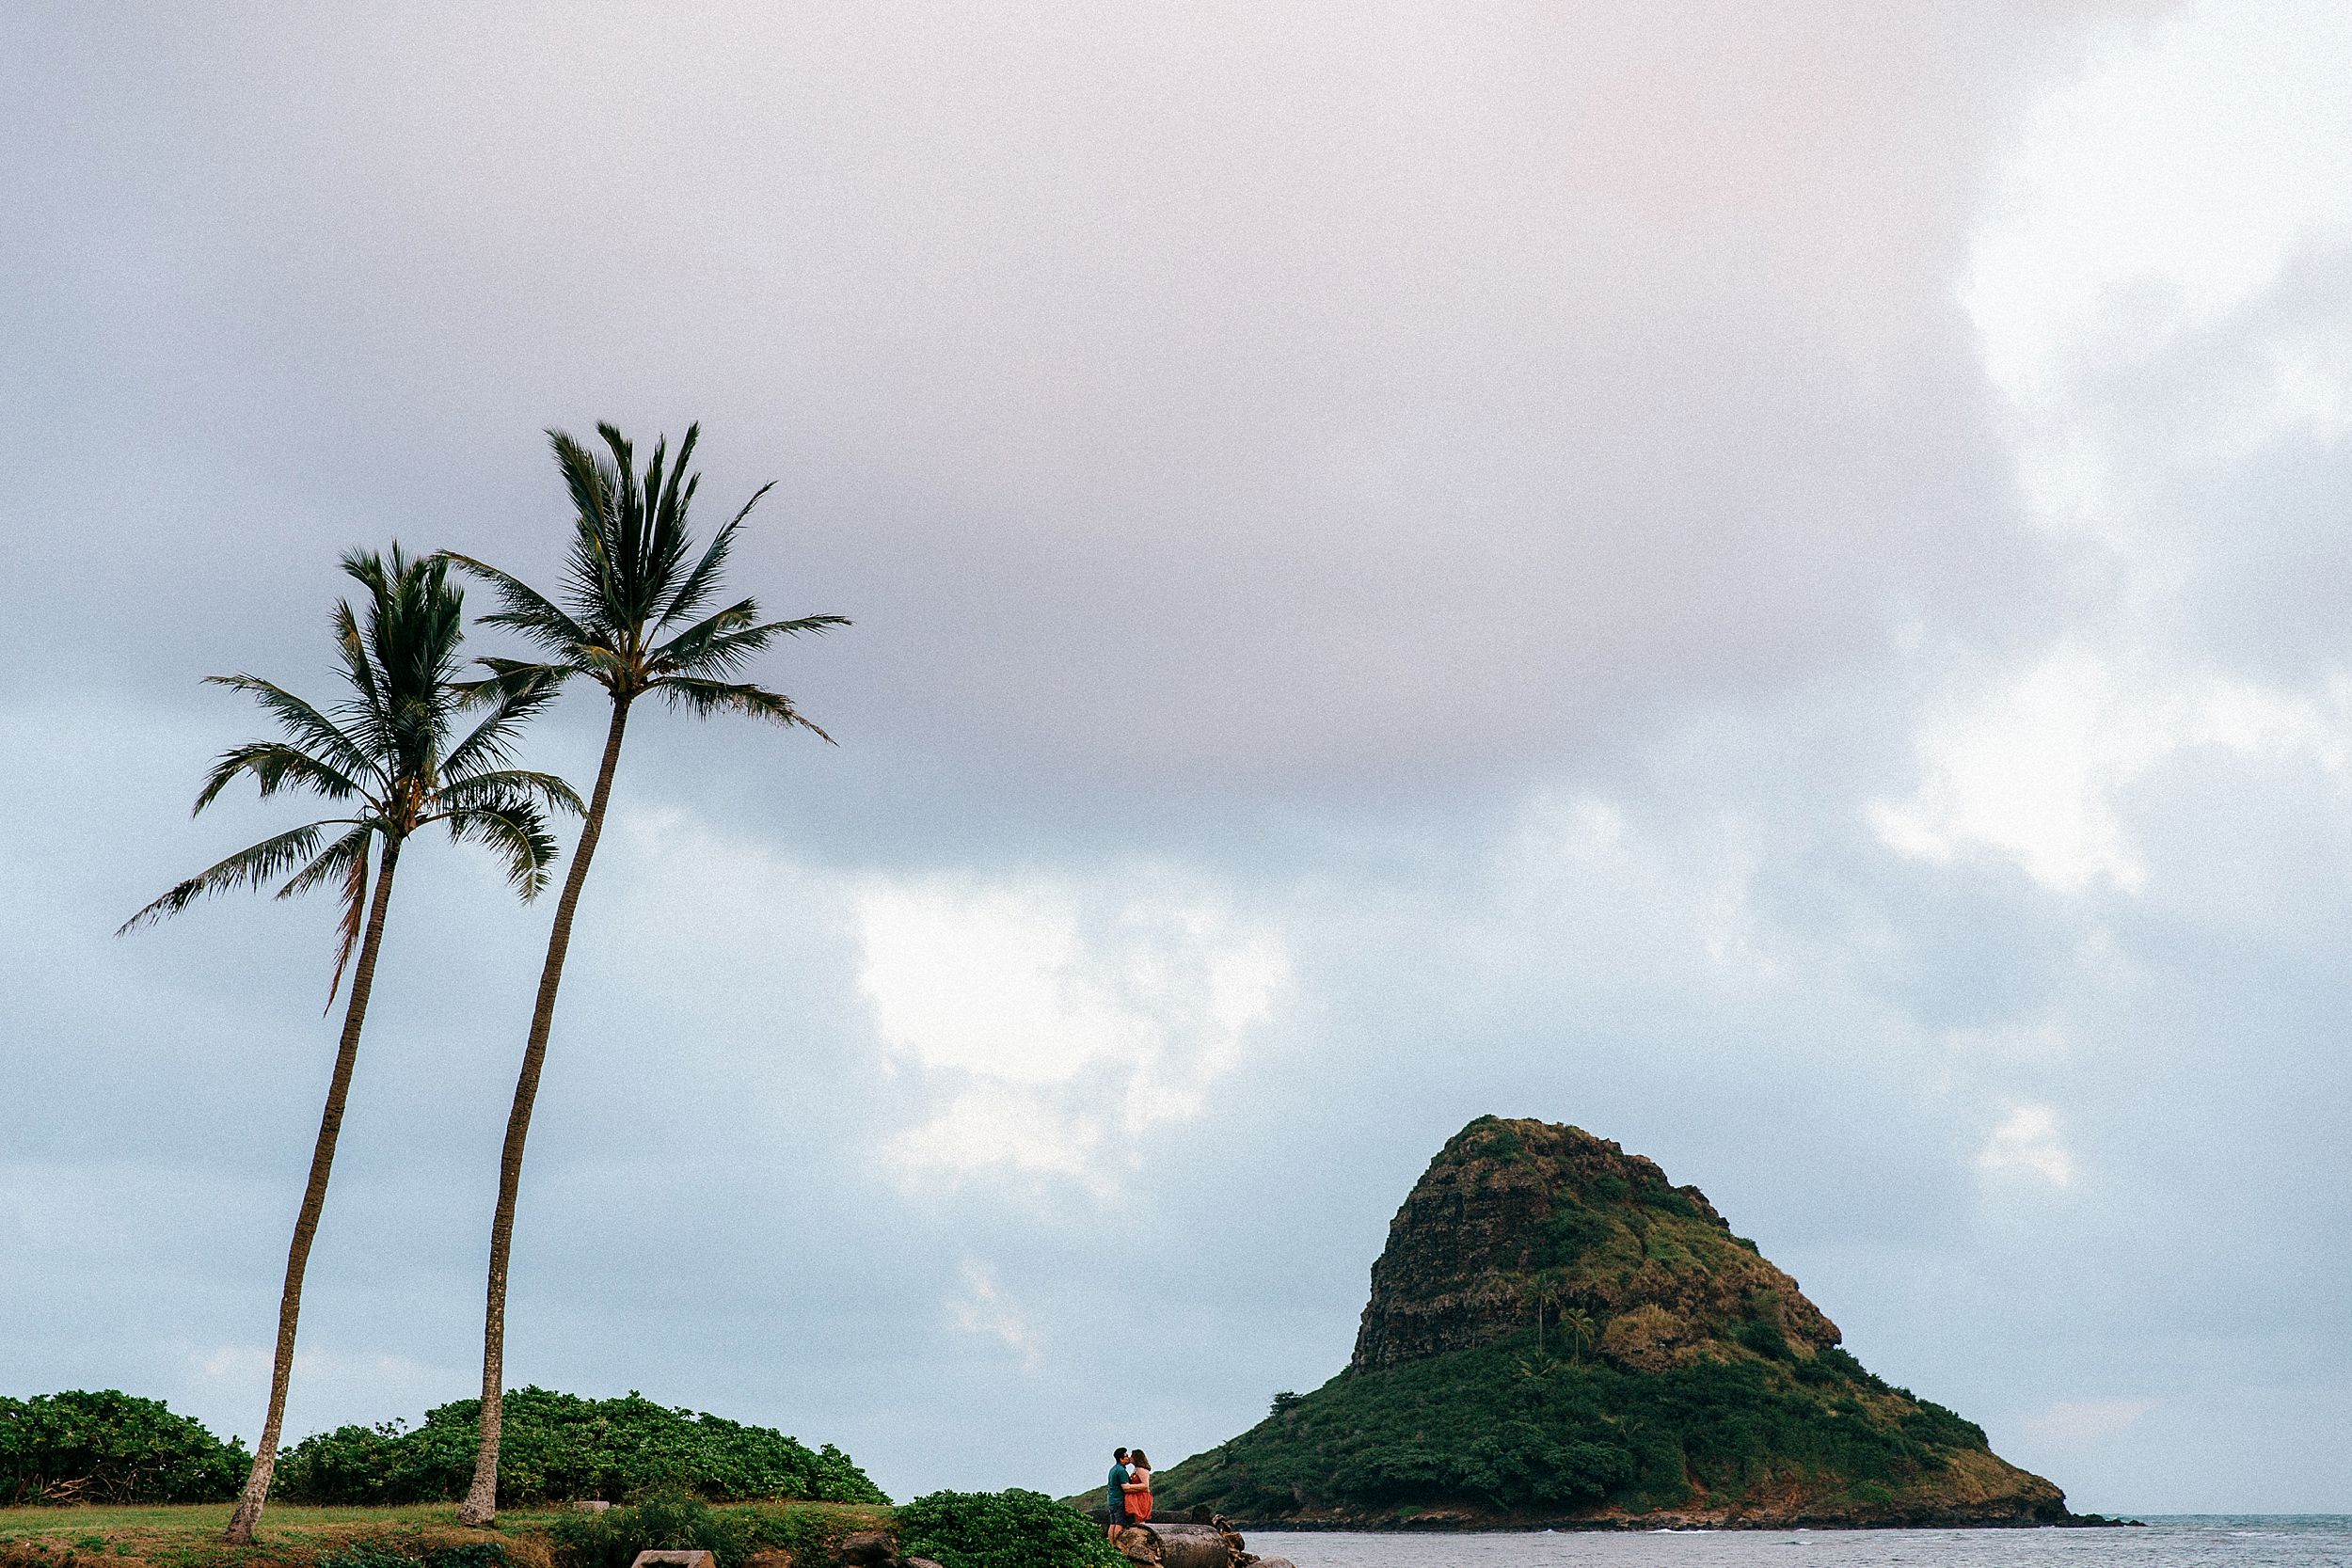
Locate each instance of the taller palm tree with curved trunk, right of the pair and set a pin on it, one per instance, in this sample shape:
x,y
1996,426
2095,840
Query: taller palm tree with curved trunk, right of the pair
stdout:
x,y
634,615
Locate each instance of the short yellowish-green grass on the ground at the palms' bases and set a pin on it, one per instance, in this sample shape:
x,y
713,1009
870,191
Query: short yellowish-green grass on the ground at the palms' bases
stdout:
x,y
293,1536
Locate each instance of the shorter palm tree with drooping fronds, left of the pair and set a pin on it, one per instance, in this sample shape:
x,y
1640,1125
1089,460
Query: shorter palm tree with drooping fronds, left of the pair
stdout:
x,y
387,756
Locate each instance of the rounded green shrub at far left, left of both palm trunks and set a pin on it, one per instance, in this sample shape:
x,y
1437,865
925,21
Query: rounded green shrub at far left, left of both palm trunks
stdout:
x,y
109,1447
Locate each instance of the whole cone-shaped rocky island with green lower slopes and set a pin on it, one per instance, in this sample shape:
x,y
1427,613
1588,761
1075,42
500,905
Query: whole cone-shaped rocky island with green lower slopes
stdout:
x,y
1558,1336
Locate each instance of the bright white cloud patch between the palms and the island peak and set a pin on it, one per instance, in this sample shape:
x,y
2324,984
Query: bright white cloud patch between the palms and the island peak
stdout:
x,y
1057,1028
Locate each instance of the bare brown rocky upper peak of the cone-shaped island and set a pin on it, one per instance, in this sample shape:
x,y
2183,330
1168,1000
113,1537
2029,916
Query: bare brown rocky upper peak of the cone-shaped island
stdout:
x,y
1514,1212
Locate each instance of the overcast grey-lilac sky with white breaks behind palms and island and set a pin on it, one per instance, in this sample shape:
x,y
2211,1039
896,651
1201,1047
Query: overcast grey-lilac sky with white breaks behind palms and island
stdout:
x,y
1768,582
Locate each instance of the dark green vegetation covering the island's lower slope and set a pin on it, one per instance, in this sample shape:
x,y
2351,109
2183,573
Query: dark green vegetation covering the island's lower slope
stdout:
x,y
1511,1430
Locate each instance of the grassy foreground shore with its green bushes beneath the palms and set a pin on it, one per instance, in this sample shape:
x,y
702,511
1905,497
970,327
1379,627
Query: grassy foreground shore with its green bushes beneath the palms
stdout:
x,y
107,1480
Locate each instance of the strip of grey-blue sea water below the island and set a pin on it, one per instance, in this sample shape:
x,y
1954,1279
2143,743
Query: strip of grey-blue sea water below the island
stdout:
x,y
2205,1541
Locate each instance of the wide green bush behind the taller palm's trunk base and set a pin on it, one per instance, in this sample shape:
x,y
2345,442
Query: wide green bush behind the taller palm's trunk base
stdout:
x,y
561,1447
